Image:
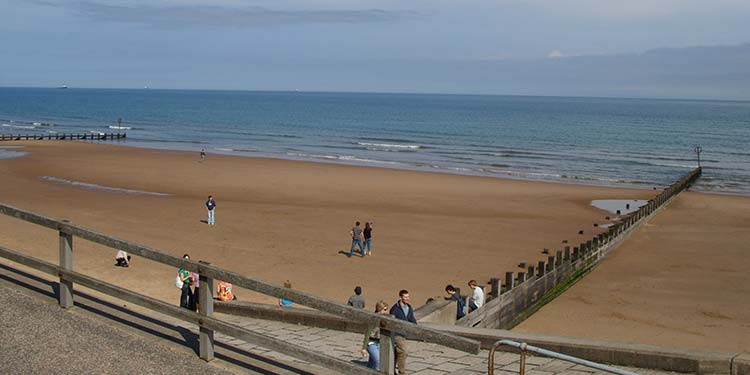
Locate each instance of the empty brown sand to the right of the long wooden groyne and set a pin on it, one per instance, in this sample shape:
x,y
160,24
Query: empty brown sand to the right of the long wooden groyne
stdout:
x,y
680,280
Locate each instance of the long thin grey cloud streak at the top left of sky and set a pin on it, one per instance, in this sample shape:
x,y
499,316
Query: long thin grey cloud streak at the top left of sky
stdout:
x,y
192,15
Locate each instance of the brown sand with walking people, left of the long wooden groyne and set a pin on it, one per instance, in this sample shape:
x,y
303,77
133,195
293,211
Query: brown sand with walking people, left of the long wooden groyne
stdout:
x,y
280,219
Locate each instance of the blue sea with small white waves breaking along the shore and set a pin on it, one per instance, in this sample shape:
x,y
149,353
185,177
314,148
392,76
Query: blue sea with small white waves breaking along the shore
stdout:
x,y
645,143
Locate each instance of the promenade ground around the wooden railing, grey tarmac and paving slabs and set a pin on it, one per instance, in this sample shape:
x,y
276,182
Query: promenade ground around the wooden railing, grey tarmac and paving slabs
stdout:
x,y
106,337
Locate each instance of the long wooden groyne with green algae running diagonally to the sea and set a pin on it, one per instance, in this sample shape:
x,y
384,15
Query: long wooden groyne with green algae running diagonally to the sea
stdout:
x,y
525,292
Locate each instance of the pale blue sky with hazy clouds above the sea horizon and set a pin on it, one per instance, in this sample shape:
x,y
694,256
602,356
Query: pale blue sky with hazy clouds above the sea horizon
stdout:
x,y
468,46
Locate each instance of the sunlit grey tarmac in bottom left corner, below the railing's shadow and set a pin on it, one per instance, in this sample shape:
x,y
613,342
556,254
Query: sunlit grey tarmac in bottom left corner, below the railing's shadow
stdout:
x,y
39,337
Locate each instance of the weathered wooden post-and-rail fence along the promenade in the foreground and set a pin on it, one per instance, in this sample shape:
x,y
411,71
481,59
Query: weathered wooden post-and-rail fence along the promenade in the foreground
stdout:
x,y
205,320
